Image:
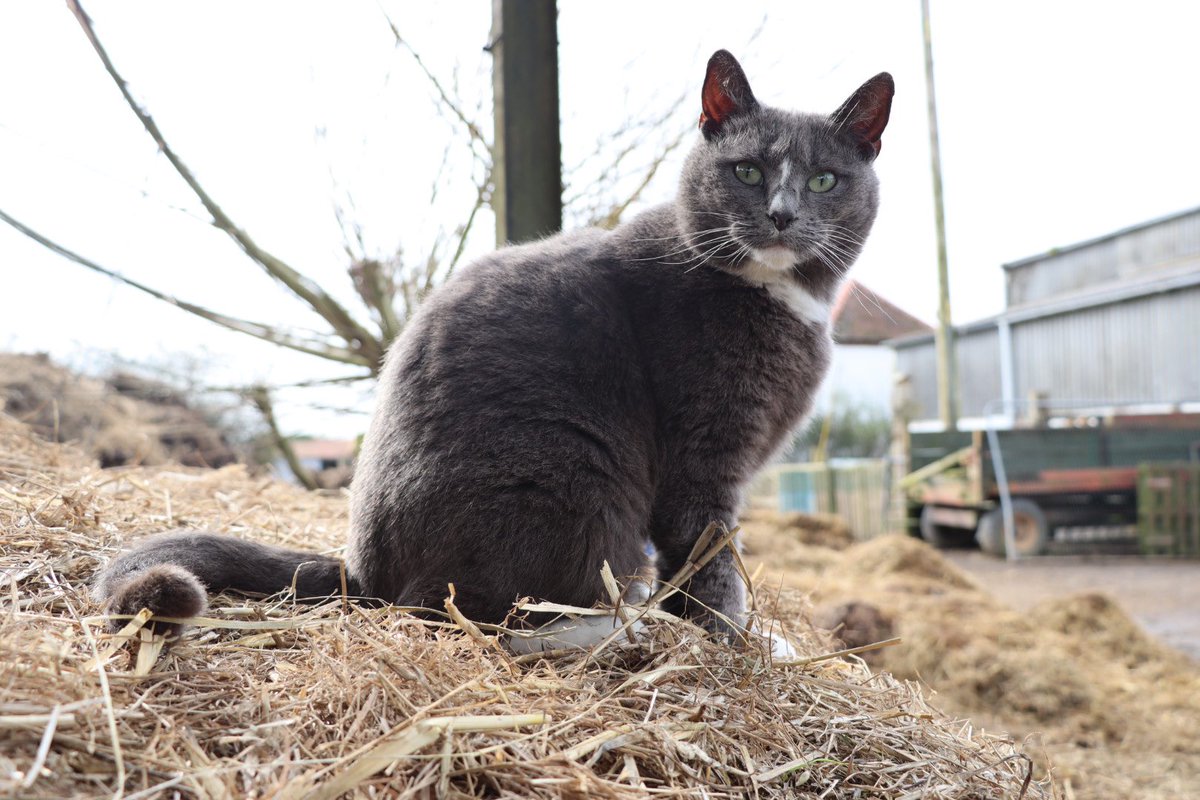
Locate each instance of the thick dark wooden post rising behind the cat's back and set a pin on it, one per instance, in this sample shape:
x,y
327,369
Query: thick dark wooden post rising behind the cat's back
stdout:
x,y
527,163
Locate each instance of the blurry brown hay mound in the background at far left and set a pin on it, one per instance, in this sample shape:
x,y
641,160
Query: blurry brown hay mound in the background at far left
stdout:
x,y
124,420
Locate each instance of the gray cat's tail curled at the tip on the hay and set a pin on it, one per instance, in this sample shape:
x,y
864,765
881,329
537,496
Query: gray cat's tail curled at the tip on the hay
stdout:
x,y
172,574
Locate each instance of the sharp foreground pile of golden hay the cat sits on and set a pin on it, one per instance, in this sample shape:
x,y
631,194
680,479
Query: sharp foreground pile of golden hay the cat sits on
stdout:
x,y
268,700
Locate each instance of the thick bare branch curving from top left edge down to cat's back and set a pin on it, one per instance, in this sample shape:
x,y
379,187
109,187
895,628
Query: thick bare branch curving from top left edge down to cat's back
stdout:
x,y
357,336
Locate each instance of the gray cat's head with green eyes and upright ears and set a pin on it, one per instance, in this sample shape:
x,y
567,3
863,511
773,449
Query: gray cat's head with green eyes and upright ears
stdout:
x,y
776,196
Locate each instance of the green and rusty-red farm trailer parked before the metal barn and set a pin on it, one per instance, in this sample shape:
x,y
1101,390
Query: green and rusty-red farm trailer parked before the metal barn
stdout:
x,y
1123,482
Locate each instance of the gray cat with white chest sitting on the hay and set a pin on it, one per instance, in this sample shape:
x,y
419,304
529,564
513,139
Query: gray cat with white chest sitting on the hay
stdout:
x,y
559,405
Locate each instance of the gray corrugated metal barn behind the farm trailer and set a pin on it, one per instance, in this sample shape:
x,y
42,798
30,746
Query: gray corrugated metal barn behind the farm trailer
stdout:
x,y
1113,322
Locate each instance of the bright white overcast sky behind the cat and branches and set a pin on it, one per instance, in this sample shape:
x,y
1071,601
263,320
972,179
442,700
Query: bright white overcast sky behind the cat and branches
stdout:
x,y
1059,121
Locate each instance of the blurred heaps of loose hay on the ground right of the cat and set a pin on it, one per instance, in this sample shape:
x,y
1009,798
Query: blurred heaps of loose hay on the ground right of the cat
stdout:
x,y
1117,713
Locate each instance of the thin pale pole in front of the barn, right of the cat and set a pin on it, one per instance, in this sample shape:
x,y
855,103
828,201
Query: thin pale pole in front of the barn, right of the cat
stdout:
x,y
947,368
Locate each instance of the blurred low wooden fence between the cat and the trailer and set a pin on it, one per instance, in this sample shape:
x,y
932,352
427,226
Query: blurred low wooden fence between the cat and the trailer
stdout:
x,y
856,490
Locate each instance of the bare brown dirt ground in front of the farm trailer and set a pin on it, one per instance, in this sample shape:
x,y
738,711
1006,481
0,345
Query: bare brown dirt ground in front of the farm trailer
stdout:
x,y
1163,597
